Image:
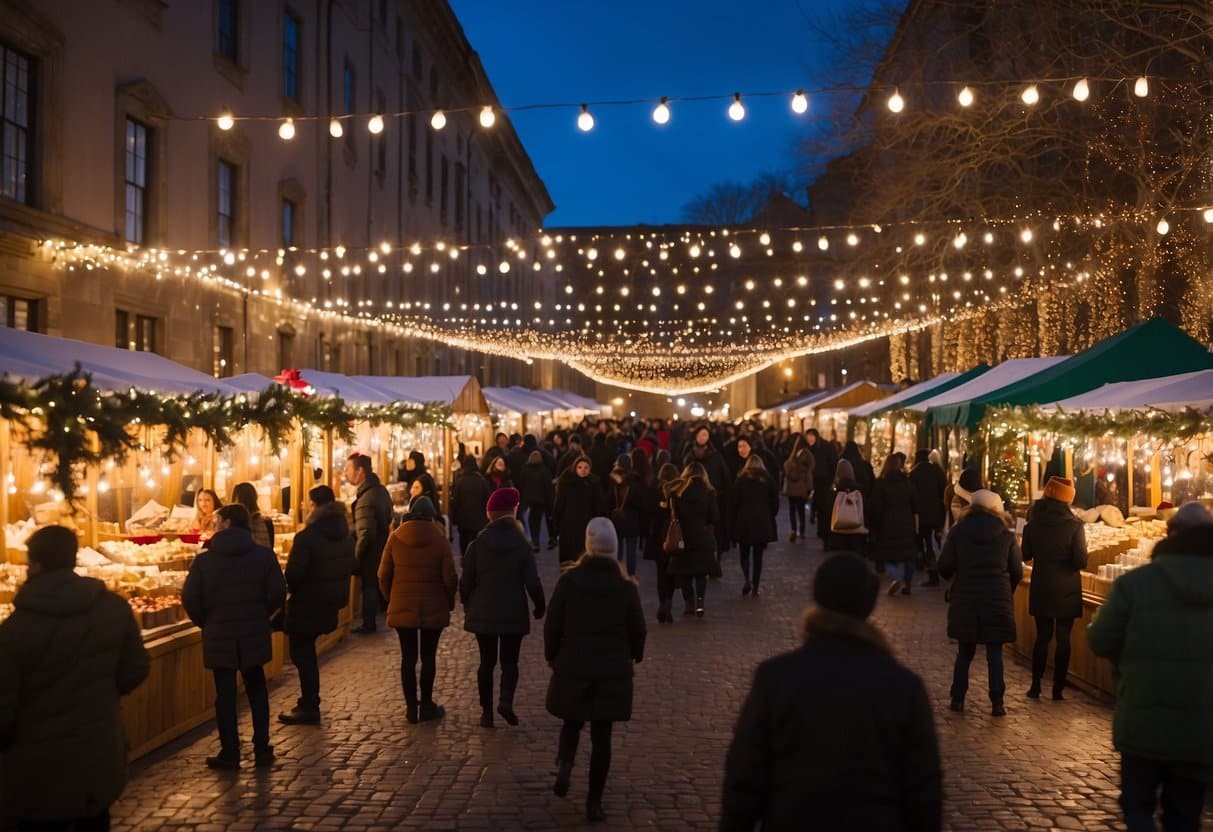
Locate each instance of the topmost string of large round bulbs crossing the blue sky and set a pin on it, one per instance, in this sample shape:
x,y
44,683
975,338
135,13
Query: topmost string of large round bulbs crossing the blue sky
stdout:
x,y
1029,94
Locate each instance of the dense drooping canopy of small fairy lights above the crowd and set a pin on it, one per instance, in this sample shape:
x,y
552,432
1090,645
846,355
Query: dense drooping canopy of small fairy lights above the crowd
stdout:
x,y
679,311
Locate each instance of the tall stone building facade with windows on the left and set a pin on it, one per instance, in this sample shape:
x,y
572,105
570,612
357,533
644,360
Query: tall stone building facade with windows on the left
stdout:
x,y
111,139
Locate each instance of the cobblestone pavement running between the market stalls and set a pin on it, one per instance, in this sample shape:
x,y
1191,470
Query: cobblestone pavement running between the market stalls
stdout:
x,y
1045,766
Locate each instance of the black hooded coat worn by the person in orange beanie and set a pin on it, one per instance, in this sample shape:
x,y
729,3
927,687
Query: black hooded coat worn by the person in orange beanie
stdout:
x,y
1057,548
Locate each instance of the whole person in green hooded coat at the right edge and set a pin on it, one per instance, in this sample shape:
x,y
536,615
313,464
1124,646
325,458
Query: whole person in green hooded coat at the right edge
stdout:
x,y
1157,628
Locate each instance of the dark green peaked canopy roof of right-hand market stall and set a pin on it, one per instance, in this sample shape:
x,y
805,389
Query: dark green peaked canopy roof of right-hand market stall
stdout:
x,y
1147,351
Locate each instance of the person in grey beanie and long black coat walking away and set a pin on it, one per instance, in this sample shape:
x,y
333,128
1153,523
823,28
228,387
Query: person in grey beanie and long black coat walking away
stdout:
x,y
594,635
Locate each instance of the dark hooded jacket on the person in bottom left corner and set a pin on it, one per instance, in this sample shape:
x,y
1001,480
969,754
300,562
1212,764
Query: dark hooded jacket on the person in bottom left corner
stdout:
x,y
69,653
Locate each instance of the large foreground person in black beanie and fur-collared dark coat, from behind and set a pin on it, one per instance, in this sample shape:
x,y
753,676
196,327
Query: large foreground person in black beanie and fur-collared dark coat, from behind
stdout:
x,y
838,734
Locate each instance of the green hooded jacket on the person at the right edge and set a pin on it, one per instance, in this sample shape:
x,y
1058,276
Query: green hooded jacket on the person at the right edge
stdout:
x,y
1155,626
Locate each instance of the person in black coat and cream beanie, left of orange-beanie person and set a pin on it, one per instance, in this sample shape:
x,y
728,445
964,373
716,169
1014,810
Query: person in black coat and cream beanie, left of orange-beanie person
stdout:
x,y
984,557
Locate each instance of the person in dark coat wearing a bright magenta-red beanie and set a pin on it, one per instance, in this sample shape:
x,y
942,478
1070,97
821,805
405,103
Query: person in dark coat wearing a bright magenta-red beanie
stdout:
x,y
499,573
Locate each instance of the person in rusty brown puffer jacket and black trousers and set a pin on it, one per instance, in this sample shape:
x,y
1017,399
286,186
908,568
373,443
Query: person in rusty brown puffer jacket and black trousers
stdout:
x,y
418,578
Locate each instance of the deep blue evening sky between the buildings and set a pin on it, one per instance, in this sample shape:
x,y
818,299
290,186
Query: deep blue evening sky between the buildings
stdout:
x,y
629,170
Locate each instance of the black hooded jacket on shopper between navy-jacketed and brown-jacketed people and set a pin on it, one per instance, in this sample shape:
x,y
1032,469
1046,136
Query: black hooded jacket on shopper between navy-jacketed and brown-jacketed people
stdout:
x,y
318,572
